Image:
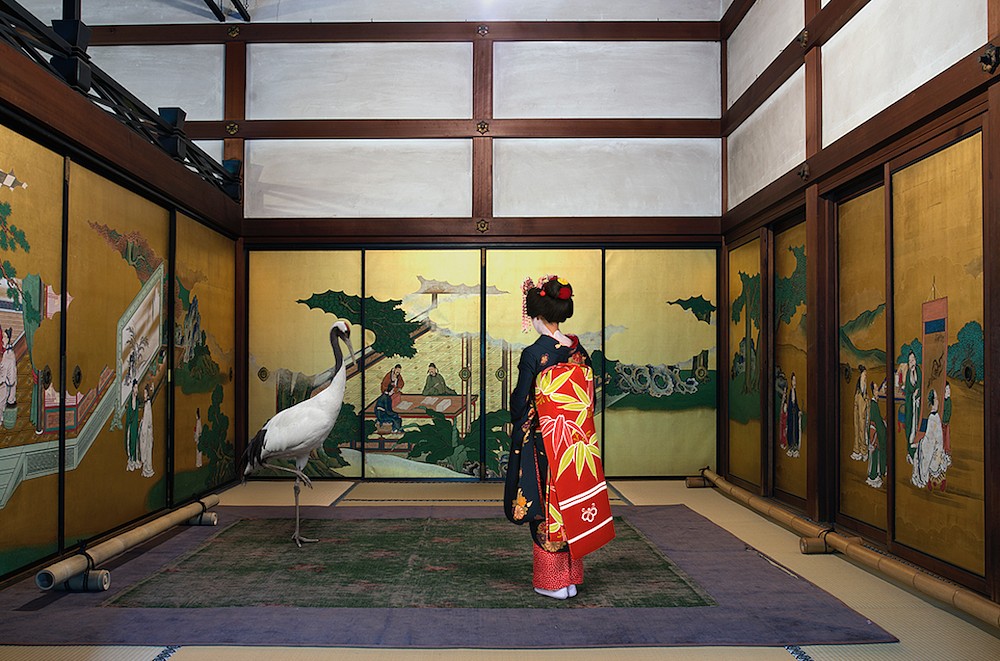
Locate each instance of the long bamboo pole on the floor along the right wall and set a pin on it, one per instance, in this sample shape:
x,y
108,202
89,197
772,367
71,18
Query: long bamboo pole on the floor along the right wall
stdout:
x,y
958,597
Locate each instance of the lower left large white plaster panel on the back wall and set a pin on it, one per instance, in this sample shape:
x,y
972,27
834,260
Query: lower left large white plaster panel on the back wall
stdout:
x,y
358,178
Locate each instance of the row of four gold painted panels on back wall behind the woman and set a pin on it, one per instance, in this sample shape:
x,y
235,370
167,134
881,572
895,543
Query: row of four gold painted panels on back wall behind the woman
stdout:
x,y
443,412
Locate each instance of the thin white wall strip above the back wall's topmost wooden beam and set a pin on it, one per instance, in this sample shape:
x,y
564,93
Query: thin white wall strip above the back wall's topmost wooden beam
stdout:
x,y
105,12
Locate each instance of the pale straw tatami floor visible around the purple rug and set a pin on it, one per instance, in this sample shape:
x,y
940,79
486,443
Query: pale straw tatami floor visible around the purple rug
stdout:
x,y
926,630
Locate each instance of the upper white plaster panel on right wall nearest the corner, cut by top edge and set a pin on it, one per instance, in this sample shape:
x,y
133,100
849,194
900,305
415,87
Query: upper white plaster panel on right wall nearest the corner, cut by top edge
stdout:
x,y
759,38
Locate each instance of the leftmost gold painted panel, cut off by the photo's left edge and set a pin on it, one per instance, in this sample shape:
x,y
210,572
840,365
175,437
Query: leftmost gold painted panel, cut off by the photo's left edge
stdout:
x,y
31,199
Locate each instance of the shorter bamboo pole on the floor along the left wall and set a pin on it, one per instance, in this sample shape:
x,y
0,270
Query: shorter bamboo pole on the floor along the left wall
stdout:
x,y
59,573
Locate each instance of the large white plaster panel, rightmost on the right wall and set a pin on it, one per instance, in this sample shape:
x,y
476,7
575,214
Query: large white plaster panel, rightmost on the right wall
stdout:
x,y
890,48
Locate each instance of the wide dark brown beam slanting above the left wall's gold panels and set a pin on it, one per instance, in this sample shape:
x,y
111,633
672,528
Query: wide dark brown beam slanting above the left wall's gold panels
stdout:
x,y
38,96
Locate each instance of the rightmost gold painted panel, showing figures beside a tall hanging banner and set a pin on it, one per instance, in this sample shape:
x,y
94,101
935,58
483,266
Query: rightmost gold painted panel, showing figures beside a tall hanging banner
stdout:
x,y
938,330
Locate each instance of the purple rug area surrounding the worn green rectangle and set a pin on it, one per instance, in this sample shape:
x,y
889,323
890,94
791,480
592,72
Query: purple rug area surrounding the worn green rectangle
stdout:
x,y
759,603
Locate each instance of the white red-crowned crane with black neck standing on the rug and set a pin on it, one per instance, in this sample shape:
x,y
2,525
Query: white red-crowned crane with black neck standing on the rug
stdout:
x,y
293,433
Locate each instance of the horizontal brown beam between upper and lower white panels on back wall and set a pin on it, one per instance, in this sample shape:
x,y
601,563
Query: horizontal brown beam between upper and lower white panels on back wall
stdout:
x,y
456,128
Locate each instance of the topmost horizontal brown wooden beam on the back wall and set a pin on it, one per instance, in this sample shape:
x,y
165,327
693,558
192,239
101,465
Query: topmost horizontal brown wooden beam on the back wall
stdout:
x,y
407,32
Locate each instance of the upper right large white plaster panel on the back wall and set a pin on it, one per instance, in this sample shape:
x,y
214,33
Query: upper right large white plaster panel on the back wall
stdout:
x,y
606,79
